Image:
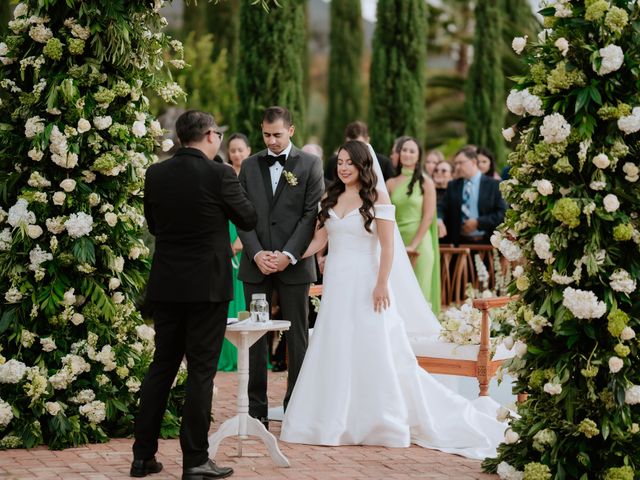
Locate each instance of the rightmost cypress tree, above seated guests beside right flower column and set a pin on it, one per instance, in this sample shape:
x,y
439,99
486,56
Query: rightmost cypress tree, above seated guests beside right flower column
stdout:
x,y
484,97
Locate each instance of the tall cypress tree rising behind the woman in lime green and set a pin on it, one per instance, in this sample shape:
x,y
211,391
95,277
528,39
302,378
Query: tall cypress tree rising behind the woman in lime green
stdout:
x,y
397,81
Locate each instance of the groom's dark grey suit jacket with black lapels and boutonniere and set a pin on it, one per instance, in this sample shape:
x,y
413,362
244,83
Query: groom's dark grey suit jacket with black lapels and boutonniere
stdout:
x,y
286,219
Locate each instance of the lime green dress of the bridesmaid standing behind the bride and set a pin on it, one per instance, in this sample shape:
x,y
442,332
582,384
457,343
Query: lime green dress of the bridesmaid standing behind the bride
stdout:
x,y
408,217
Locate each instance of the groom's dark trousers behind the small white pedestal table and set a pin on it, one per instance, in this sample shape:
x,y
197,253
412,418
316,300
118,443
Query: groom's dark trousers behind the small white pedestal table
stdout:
x,y
294,307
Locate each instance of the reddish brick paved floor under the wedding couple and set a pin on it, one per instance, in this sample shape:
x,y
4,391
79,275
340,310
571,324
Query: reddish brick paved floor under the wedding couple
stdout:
x,y
111,460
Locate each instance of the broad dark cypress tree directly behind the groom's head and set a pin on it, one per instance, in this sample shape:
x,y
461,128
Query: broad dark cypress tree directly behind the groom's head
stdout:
x,y
270,67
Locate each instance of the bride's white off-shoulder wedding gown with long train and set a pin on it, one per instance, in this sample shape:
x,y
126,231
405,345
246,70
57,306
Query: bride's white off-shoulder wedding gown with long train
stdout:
x,y
360,383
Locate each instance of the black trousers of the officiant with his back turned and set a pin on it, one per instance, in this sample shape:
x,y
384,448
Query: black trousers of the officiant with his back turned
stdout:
x,y
194,330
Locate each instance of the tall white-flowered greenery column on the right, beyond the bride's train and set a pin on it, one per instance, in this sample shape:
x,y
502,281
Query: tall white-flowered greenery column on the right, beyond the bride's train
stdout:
x,y
575,197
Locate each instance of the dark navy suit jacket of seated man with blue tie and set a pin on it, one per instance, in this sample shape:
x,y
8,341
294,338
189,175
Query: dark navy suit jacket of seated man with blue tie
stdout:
x,y
491,209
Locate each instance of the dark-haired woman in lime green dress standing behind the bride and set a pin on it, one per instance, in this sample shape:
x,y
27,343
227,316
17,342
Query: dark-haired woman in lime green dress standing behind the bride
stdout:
x,y
414,195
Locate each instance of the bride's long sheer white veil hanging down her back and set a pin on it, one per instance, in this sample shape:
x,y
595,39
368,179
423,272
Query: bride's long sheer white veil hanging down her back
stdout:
x,y
410,302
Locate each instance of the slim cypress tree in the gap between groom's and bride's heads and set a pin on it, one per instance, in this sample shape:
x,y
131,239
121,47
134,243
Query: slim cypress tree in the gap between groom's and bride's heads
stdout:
x,y
345,62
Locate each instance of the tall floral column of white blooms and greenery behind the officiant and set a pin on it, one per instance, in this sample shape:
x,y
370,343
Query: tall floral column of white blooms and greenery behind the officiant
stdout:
x,y
75,143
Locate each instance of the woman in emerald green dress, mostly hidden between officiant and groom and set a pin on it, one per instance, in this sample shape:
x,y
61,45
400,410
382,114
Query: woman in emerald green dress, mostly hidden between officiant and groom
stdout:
x,y
238,149
